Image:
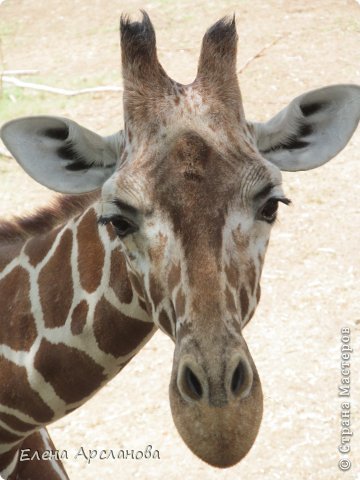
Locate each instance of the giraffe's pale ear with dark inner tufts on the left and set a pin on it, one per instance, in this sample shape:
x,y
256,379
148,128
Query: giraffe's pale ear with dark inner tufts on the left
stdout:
x,y
60,154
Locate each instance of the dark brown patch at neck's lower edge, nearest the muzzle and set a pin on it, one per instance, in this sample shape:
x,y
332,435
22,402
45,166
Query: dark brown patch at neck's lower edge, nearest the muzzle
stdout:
x,y
116,333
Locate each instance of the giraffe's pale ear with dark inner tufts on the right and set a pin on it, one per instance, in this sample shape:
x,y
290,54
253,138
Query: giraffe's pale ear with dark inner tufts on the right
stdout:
x,y
312,129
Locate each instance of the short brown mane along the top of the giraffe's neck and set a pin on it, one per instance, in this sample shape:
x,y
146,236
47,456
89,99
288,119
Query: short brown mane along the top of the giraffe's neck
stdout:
x,y
62,208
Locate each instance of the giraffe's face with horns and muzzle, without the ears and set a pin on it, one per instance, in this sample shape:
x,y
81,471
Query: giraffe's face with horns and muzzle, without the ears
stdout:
x,y
183,202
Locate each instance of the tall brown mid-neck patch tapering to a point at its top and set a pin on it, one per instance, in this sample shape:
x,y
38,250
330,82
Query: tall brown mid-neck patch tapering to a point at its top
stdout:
x,y
56,284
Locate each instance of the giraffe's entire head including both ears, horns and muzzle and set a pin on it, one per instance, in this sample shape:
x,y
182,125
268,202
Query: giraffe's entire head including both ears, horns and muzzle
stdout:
x,y
192,191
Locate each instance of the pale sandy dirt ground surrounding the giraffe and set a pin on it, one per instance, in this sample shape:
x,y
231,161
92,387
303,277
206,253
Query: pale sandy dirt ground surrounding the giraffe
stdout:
x,y
311,278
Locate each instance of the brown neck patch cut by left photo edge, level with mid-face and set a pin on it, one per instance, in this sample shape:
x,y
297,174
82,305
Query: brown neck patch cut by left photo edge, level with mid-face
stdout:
x,y
17,325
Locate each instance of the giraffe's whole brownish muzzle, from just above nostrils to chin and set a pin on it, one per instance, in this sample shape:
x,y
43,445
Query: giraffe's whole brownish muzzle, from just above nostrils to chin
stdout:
x,y
216,399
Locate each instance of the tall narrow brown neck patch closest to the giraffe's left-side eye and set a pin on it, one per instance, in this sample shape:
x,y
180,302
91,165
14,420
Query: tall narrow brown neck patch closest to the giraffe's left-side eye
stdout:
x,y
91,252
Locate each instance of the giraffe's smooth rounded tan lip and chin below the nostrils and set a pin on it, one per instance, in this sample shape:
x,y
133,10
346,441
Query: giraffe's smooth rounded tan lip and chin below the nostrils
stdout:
x,y
219,435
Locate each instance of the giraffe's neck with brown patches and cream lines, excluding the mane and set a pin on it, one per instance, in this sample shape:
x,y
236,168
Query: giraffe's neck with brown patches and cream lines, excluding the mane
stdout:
x,y
70,319
